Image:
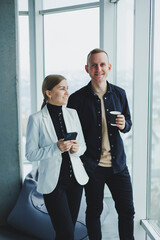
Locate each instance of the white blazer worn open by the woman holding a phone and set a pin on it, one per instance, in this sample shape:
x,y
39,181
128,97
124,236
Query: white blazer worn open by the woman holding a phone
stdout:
x,y
41,145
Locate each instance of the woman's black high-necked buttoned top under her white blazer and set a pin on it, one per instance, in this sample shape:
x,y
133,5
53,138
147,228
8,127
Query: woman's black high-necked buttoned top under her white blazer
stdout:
x,y
60,128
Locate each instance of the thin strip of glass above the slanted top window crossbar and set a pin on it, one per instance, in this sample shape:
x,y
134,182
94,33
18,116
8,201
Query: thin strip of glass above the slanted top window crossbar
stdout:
x,y
48,4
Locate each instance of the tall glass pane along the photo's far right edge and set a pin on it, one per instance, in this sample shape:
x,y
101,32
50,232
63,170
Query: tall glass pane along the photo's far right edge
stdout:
x,y
155,157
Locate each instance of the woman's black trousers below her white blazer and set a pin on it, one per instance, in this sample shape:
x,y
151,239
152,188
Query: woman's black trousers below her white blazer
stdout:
x,y
63,206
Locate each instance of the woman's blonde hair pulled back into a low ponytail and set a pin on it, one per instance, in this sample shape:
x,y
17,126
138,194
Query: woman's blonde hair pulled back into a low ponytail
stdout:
x,y
50,82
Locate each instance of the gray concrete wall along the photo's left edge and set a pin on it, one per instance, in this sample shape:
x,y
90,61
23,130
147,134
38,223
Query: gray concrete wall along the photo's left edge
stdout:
x,y
9,134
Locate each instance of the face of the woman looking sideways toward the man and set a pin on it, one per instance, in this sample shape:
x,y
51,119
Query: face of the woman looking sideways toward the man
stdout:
x,y
59,94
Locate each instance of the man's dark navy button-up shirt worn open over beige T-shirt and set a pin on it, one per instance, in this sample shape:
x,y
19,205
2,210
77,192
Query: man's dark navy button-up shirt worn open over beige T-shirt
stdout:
x,y
88,106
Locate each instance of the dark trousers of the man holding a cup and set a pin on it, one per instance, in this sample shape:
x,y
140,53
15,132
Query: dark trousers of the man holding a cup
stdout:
x,y
121,190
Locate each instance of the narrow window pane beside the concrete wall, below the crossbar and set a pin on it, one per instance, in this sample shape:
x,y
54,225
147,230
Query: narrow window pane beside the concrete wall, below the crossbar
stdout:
x,y
24,84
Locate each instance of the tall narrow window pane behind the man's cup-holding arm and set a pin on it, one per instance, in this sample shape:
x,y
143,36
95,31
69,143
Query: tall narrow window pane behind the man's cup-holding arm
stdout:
x,y
125,29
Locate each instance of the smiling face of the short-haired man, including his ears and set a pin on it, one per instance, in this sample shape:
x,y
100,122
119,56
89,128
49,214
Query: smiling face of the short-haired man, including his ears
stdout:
x,y
98,67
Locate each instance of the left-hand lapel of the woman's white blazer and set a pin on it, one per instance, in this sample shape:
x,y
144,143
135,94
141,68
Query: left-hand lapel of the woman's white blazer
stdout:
x,y
48,123
